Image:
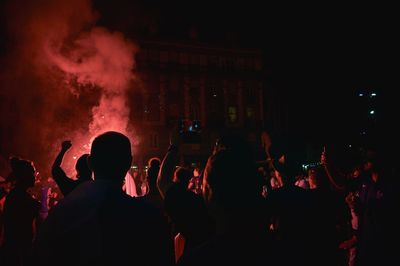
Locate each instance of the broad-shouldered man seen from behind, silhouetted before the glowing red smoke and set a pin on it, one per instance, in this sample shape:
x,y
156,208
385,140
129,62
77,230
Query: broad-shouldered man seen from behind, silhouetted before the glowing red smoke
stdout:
x,y
99,224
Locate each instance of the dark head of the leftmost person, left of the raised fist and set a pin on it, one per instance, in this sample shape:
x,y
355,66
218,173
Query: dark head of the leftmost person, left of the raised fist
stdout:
x,y
23,172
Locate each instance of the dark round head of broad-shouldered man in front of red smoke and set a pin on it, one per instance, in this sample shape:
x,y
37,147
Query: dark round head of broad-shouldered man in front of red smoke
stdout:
x,y
110,156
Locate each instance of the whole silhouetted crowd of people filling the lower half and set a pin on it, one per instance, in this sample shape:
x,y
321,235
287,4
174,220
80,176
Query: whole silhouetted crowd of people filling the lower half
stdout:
x,y
235,211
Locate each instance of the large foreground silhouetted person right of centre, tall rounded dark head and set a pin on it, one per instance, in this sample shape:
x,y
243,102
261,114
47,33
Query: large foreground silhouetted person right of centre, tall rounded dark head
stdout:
x,y
232,191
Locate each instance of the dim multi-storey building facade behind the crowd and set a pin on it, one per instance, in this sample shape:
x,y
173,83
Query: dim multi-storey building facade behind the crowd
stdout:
x,y
219,89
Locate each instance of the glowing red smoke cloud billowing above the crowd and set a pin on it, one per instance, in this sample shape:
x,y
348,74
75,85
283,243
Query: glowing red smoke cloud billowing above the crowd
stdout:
x,y
64,79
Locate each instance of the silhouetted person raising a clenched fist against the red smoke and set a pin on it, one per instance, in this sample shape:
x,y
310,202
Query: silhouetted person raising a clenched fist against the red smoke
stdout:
x,y
83,171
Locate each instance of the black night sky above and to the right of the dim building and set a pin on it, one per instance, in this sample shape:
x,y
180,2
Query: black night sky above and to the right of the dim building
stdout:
x,y
320,57
